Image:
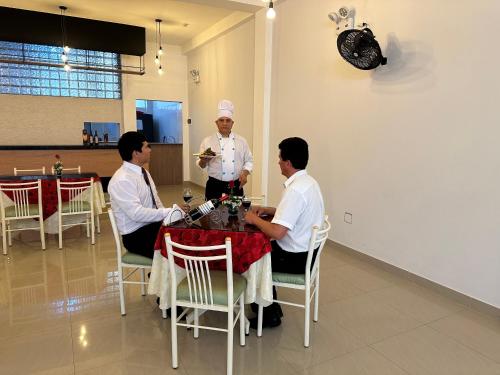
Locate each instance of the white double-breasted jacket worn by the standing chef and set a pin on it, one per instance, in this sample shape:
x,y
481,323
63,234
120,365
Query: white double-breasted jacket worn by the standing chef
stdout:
x,y
234,156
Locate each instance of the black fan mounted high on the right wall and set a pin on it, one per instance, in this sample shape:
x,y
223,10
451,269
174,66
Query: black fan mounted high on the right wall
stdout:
x,y
357,46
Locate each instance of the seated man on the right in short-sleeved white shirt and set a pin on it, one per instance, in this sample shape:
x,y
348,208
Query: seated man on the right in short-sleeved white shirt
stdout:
x,y
301,207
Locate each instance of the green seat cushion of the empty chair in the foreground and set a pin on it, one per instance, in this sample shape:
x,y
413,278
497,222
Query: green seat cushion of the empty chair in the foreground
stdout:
x,y
219,287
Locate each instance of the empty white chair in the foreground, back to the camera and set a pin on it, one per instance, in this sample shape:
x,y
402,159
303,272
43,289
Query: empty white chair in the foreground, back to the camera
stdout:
x,y
204,289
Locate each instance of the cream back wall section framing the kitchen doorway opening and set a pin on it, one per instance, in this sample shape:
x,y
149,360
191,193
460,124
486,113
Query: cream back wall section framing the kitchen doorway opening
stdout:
x,y
171,86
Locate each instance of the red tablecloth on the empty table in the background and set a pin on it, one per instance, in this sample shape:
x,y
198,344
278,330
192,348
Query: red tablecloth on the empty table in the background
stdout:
x,y
49,193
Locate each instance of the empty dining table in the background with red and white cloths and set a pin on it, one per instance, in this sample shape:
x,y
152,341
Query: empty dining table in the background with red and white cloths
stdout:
x,y
49,196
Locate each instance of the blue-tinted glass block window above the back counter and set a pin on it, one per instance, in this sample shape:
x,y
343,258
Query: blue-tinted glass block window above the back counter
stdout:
x,y
24,79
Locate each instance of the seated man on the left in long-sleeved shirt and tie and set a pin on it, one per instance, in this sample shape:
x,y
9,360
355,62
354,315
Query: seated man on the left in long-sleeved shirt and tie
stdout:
x,y
135,202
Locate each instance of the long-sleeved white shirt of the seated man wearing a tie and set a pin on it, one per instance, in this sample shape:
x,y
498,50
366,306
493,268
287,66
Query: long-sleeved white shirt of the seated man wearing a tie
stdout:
x,y
131,199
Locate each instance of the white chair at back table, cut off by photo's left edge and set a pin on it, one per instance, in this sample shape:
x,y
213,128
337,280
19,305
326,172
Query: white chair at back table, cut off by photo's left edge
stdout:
x,y
20,209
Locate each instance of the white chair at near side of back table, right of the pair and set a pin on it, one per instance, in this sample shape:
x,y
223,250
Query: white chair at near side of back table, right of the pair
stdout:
x,y
80,204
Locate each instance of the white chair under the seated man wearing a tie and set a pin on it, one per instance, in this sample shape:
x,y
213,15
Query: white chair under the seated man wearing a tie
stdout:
x,y
129,260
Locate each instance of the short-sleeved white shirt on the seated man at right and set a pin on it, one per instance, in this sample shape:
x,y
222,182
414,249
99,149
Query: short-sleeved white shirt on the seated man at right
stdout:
x,y
301,207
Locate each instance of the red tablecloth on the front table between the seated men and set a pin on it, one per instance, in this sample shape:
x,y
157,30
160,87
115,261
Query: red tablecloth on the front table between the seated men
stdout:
x,y
247,247
